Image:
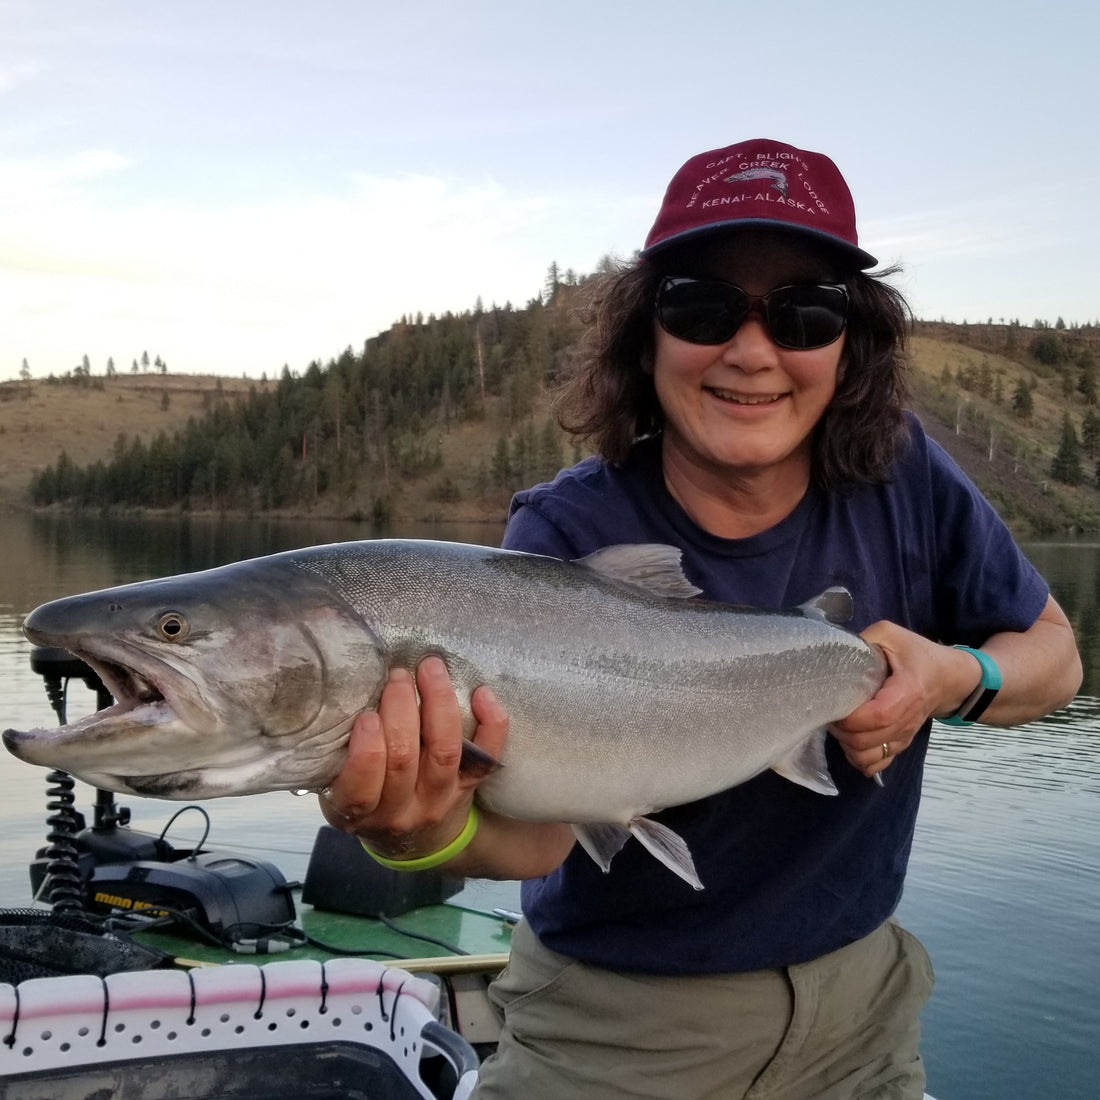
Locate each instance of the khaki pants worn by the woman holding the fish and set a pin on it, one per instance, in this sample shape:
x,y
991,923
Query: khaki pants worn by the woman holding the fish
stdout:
x,y
843,1027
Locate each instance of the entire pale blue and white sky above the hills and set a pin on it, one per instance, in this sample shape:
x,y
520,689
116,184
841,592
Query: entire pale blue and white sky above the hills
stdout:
x,y
237,186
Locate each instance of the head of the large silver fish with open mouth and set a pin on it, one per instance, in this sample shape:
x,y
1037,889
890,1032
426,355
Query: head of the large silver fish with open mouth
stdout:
x,y
233,681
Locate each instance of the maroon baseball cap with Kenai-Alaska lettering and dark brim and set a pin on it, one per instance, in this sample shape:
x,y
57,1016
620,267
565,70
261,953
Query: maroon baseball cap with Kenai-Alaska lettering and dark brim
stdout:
x,y
760,183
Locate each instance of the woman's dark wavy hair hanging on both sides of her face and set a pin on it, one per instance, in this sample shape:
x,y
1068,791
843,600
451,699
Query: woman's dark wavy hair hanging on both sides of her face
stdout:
x,y
608,399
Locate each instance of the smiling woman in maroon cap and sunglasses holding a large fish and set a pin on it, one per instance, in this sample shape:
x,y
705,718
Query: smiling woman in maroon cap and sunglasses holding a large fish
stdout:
x,y
743,384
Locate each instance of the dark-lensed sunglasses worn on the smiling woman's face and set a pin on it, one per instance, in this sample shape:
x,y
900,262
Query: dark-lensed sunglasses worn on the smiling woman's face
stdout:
x,y
710,312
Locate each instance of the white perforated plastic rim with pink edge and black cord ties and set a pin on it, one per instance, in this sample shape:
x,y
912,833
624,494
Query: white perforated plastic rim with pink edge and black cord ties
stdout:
x,y
357,1029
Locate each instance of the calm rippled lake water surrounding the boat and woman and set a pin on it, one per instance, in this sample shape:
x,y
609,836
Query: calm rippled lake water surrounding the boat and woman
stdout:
x,y
1005,883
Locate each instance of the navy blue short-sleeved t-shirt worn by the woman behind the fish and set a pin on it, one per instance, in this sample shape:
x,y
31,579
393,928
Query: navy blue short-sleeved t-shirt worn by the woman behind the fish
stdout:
x,y
790,874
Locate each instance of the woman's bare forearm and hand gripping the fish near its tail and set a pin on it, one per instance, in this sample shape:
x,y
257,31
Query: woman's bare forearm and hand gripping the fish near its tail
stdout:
x,y
1041,672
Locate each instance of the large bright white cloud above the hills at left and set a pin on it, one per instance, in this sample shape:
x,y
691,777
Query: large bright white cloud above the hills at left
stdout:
x,y
248,287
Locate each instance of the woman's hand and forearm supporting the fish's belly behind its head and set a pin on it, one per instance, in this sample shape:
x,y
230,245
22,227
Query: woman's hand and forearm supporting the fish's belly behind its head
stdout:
x,y
402,791
